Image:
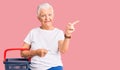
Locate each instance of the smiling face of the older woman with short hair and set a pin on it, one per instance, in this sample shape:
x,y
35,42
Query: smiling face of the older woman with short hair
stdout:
x,y
46,16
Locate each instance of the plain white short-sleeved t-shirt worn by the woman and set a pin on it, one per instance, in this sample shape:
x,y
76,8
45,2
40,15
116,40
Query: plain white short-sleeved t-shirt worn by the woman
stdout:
x,y
47,39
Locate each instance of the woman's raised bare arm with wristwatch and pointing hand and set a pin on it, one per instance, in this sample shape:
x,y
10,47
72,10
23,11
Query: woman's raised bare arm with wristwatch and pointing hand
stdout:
x,y
64,44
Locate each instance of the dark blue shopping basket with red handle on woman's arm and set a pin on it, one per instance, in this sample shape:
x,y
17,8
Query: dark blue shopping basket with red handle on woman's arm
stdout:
x,y
16,63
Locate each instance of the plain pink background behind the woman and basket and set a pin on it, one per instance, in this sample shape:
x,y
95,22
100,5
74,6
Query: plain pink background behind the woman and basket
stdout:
x,y
95,45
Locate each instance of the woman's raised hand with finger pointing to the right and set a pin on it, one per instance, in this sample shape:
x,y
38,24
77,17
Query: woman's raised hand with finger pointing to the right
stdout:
x,y
70,28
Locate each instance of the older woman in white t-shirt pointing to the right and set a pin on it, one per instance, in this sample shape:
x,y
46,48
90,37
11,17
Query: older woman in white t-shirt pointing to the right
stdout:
x,y
47,42
